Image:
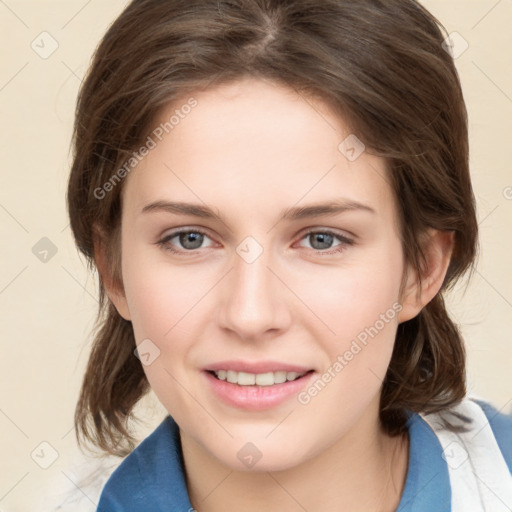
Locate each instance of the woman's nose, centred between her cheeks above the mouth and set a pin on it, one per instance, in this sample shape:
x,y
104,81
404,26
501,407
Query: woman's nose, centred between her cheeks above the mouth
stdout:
x,y
254,302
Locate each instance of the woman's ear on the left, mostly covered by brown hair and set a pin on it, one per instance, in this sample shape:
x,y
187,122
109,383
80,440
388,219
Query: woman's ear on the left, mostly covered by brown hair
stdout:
x,y
113,286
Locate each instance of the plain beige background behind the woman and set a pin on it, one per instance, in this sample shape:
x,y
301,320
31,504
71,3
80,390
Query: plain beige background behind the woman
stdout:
x,y
48,308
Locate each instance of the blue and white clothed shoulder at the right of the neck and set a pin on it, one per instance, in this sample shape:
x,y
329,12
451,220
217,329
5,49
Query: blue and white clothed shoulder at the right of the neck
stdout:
x,y
436,454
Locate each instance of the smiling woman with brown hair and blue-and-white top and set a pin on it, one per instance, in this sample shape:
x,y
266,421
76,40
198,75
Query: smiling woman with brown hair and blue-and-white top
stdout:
x,y
276,196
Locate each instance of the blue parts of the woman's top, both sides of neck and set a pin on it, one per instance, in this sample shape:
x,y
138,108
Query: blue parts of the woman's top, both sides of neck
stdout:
x,y
151,478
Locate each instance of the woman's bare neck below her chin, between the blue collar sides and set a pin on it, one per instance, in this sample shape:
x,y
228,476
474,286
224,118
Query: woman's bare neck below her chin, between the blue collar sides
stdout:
x,y
363,471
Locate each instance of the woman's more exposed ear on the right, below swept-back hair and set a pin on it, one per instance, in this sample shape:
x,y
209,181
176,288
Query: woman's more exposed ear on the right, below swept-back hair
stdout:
x,y
438,249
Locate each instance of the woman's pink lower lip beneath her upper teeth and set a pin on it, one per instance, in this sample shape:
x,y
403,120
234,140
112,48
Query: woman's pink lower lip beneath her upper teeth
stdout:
x,y
256,398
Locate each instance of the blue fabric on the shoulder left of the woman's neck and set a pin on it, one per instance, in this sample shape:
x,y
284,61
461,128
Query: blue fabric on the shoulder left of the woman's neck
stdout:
x,y
137,484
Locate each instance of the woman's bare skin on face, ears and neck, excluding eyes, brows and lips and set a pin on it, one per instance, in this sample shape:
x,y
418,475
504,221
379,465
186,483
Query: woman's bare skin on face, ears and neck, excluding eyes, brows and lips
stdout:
x,y
249,150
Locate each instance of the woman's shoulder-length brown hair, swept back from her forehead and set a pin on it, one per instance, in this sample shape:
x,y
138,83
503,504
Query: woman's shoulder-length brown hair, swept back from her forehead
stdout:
x,y
379,63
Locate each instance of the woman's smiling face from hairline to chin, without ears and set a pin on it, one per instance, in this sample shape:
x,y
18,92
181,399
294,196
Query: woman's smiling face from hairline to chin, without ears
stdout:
x,y
292,263
